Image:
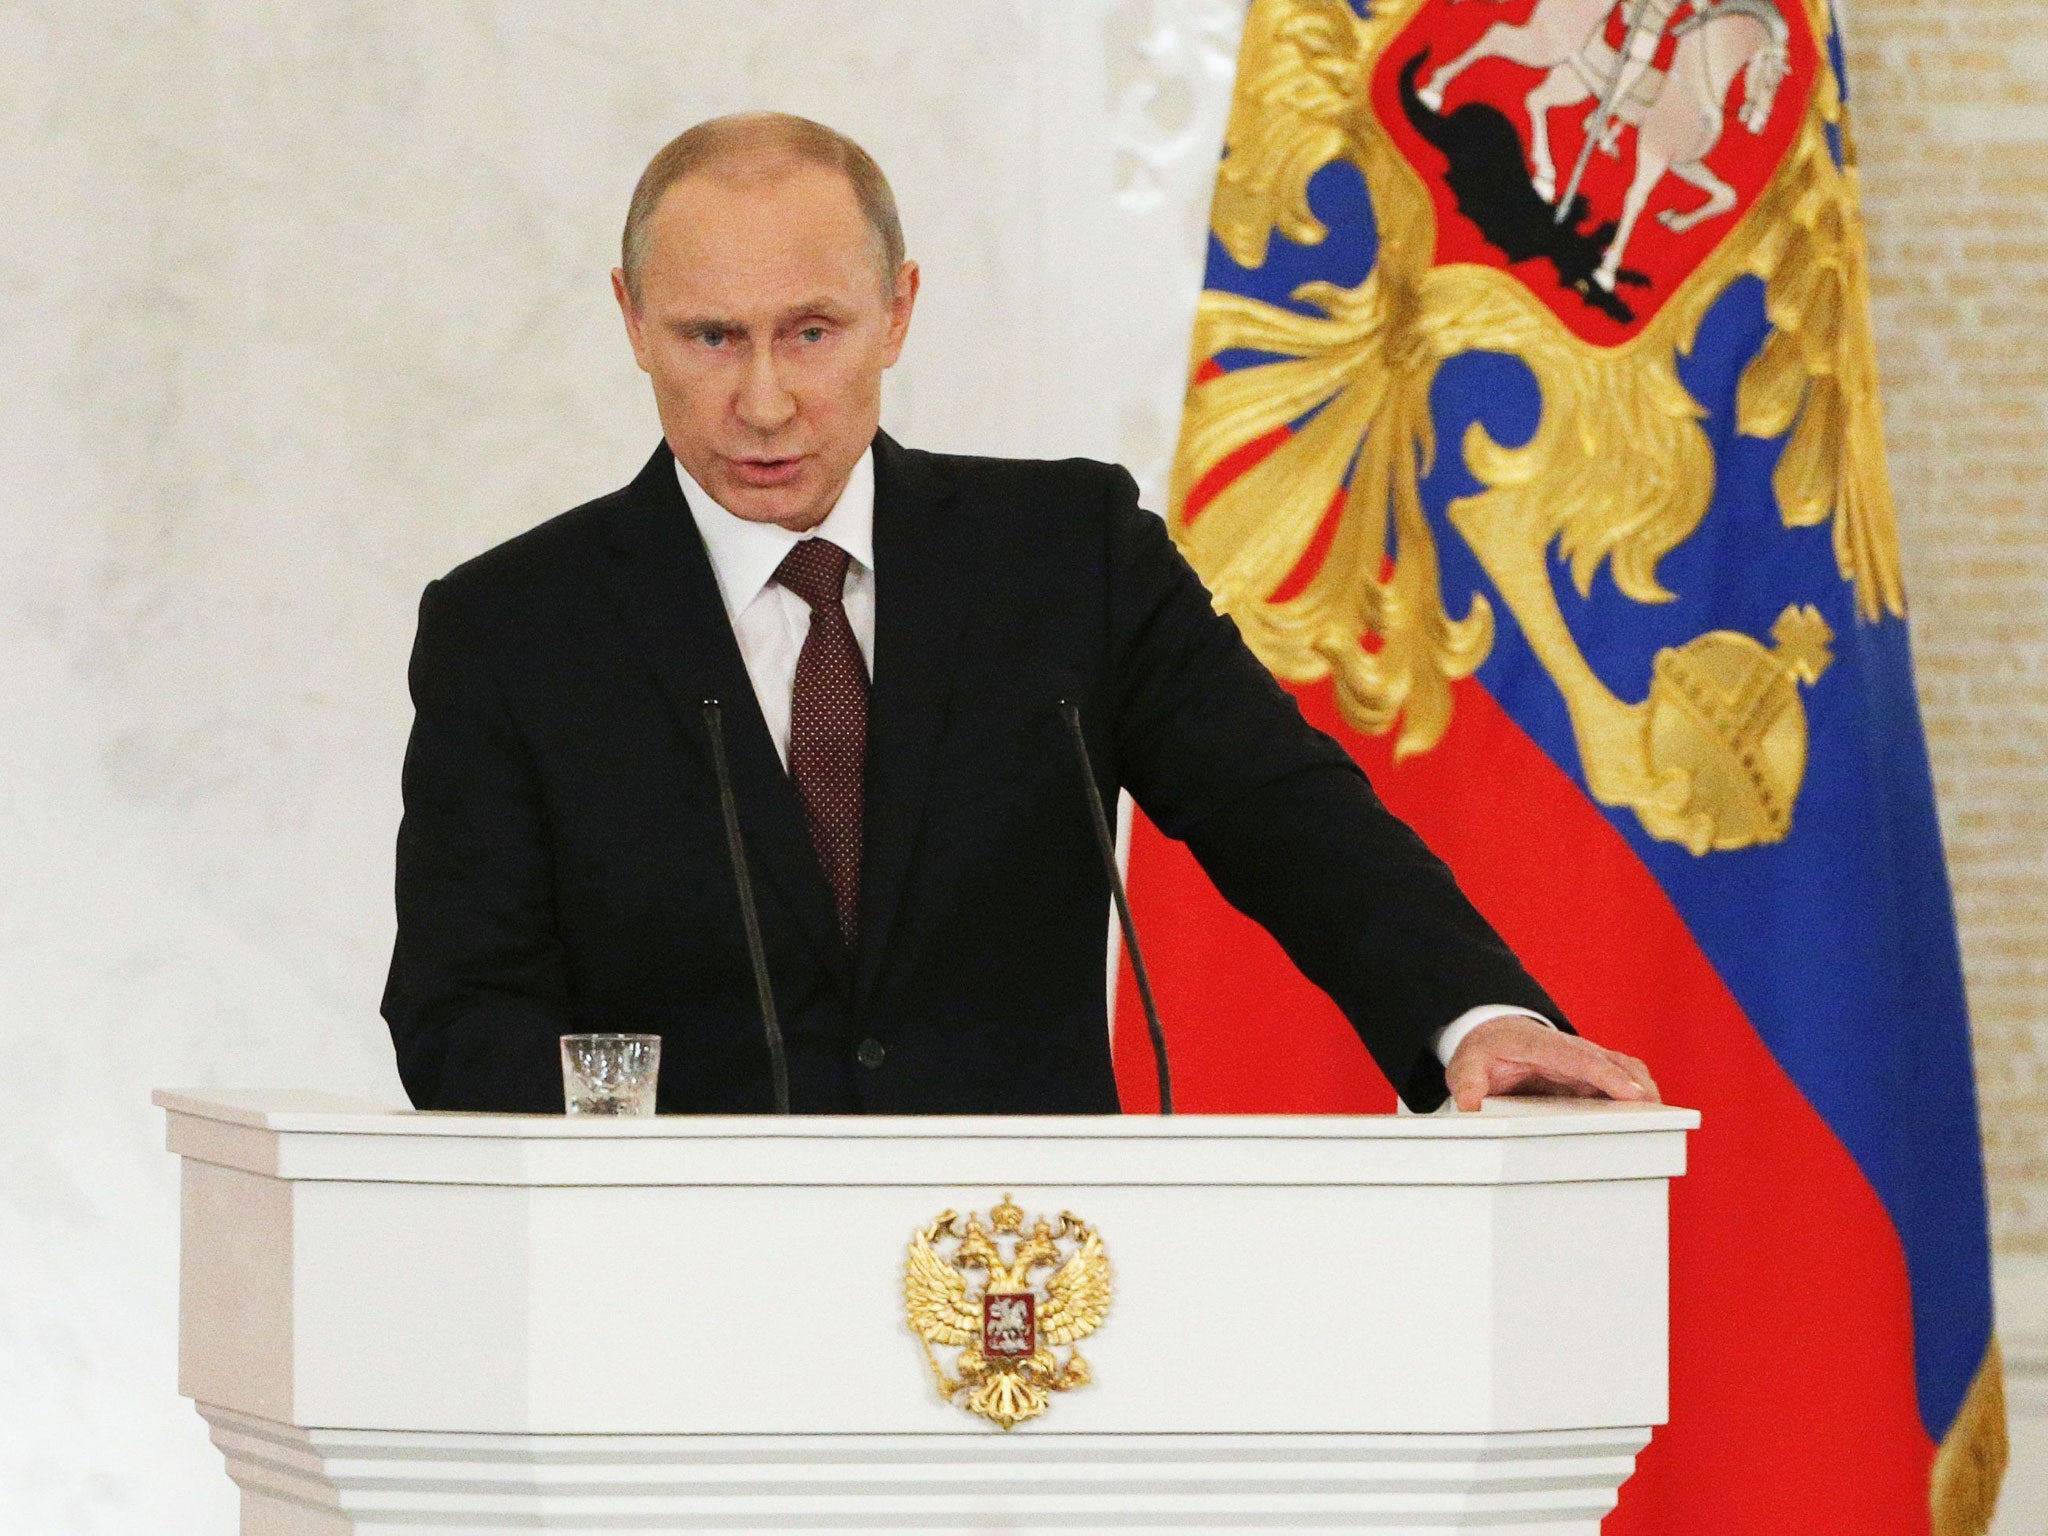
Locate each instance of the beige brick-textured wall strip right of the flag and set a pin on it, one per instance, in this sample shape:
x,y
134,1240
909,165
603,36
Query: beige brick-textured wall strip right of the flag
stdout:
x,y
1951,112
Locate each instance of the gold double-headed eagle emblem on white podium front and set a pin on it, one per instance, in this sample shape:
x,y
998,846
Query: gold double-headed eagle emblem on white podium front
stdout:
x,y
1013,1334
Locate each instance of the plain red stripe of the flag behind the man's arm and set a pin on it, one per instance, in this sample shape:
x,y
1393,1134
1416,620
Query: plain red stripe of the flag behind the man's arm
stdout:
x,y
1793,1402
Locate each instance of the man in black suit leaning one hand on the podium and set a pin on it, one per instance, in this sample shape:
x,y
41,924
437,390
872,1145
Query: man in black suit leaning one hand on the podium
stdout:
x,y
890,636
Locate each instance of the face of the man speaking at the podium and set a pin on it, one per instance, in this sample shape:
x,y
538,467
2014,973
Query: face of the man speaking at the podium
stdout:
x,y
765,325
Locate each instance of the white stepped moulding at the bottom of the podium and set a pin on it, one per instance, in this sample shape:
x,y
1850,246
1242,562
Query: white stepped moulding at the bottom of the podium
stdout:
x,y
1029,1484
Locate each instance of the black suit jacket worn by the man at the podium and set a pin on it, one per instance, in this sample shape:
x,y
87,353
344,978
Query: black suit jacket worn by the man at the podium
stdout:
x,y
562,861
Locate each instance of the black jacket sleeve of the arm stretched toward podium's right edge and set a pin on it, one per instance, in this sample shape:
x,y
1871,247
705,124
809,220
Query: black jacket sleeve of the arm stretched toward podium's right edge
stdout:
x,y
1283,820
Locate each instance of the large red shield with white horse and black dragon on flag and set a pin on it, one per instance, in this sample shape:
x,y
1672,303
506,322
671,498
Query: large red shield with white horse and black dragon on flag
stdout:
x,y
1691,108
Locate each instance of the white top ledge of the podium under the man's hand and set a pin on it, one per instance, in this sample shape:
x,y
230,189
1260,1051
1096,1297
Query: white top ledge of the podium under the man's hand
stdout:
x,y
308,1136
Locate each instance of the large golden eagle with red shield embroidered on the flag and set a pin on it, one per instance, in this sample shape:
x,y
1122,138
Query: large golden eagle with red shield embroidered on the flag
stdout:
x,y
1582,208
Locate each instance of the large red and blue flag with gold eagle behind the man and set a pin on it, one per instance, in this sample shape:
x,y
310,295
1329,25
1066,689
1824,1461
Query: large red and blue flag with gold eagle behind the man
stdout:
x,y
1592,566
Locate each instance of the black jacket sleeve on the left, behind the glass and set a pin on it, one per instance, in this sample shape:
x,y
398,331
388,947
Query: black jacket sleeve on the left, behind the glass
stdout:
x,y
480,986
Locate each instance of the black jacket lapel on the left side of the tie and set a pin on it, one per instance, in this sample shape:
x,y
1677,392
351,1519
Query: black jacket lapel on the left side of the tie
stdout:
x,y
663,585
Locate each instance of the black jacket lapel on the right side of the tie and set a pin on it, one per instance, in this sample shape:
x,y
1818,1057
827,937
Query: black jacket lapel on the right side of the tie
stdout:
x,y
923,581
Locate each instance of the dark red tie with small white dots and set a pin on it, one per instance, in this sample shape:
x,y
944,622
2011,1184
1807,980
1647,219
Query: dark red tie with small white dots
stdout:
x,y
828,722
